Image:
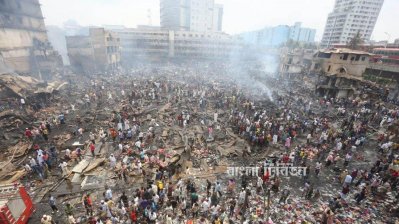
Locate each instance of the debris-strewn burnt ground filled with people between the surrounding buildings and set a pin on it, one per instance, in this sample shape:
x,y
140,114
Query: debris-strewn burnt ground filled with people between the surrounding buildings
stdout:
x,y
163,132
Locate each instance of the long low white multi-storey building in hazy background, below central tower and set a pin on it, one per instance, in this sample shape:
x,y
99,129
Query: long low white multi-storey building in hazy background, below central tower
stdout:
x,y
148,44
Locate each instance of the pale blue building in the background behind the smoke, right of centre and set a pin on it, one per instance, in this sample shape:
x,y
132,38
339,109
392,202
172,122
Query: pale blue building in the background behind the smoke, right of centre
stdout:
x,y
278,35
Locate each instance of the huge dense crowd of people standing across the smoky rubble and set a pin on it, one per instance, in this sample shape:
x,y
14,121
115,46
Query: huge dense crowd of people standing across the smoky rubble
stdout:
x,y
348,147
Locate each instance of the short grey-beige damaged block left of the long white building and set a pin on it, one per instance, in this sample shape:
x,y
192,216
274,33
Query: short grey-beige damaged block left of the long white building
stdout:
x,y
98,52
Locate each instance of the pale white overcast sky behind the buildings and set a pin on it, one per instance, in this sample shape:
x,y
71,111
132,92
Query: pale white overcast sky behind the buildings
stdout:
x,y
239,15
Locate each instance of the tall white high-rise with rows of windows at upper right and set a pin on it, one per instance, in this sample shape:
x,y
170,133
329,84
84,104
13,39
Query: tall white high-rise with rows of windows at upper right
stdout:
x,y
348,18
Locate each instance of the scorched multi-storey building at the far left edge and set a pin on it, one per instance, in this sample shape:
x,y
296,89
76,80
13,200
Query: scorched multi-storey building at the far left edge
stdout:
x,y
24,44
